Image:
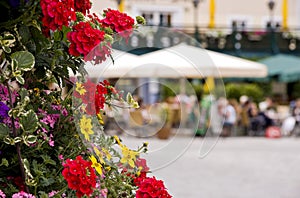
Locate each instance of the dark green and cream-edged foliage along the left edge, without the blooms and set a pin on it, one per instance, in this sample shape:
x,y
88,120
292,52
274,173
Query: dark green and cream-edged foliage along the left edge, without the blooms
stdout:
x,y
33,61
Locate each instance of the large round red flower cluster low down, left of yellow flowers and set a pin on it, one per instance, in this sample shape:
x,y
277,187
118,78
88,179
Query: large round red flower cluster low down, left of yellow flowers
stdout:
x,y
80,176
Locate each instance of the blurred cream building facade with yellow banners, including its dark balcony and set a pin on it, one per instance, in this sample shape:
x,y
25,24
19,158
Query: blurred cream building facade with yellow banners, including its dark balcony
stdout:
x,y
244,28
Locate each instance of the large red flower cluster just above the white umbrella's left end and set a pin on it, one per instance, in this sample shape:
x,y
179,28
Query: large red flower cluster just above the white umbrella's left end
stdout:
x,y
84,38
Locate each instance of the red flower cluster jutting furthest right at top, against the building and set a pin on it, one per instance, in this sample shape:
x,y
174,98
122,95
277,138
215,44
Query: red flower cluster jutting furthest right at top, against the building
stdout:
x,y
118,22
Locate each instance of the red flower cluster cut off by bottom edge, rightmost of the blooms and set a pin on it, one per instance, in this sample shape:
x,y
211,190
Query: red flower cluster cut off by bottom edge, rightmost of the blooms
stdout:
x,y
150,187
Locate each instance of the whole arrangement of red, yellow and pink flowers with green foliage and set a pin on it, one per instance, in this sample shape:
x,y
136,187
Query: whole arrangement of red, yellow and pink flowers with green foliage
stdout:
x,y
53,142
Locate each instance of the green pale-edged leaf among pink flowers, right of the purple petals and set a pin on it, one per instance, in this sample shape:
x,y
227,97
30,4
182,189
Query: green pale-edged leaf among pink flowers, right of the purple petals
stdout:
x,y
29,121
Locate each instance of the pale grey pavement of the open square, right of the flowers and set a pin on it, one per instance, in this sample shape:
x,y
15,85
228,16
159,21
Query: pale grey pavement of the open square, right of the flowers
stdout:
x,y
244,167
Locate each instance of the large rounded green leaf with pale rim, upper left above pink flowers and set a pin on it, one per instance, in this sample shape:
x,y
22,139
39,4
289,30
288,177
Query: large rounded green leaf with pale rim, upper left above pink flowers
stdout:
x,y
25,60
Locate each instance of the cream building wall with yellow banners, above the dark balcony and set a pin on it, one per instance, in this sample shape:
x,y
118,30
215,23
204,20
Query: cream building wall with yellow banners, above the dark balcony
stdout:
x,y
182,13
